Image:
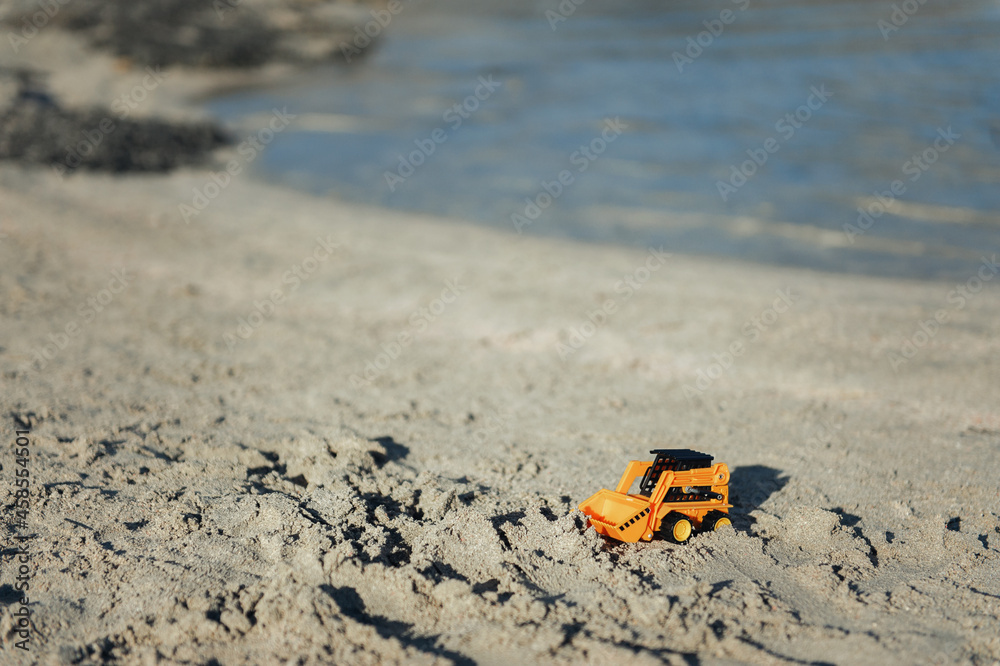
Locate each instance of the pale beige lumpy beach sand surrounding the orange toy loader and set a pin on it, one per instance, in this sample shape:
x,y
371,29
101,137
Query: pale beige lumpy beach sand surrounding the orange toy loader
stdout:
x,y
292,430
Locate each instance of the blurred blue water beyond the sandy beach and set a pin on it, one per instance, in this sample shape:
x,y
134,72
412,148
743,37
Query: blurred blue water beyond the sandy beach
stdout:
x,y
685,128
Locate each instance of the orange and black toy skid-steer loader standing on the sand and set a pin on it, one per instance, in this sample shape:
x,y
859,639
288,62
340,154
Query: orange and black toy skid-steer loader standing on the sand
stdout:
x,y
679,491
